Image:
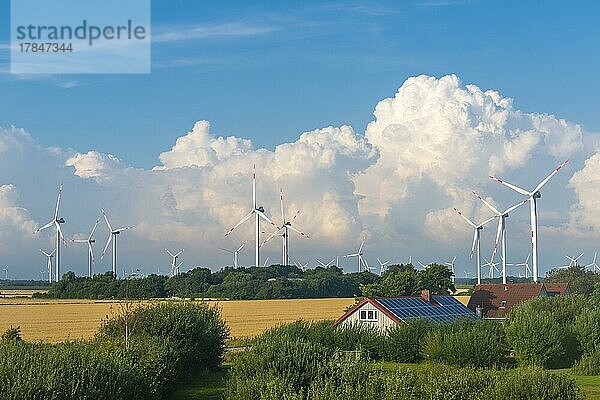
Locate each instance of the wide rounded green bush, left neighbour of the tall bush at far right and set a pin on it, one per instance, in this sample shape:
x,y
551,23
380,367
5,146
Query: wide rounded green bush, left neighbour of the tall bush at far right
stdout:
x,y
467,343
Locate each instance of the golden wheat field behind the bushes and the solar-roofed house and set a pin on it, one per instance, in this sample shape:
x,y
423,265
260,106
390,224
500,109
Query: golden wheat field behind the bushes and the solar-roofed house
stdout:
x,y
58,320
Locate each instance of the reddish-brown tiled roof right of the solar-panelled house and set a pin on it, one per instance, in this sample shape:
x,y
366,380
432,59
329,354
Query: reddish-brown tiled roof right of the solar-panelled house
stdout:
x,y
498,299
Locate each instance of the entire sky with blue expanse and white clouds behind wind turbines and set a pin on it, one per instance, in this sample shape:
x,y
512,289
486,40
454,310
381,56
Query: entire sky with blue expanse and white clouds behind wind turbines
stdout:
x,y
265,72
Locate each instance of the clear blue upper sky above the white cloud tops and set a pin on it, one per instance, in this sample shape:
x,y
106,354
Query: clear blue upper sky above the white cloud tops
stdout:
x,y
269,71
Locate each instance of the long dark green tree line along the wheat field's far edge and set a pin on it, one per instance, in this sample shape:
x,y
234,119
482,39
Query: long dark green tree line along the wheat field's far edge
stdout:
x,y
250,283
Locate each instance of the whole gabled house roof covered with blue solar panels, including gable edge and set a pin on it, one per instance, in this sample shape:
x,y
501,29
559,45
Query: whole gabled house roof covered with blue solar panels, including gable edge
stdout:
x,y
441,308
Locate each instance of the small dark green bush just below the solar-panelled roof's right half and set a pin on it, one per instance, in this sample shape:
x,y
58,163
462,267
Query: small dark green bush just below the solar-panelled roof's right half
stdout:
x,y
404,342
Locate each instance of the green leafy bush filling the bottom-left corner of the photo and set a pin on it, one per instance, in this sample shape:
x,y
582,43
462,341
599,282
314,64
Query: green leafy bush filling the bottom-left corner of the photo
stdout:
x,y
75,370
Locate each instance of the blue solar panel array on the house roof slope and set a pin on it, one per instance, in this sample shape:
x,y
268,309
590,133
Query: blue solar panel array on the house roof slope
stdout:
x,y
445,309
